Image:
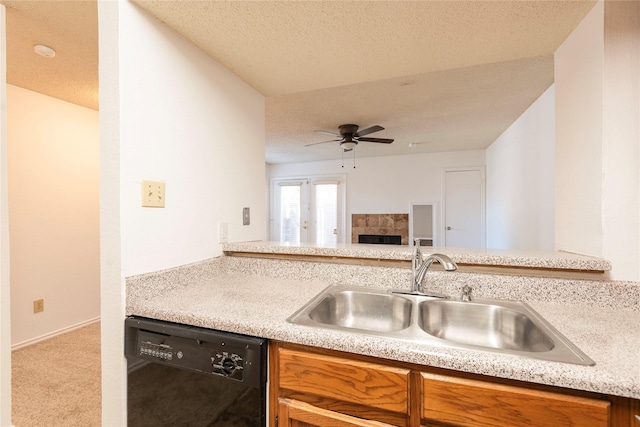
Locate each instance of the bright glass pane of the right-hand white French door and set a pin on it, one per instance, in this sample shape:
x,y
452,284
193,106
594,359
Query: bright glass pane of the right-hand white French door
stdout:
x,y
326,213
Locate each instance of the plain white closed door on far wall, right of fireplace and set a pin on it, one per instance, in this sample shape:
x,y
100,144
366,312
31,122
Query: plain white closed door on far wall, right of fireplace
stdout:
x,y
464,208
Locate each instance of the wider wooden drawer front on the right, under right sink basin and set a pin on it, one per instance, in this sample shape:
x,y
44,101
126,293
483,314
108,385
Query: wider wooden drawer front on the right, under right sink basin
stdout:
x,y
477,403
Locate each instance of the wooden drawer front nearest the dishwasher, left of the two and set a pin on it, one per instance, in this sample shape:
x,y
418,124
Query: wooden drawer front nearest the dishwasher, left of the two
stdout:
x,y
368,384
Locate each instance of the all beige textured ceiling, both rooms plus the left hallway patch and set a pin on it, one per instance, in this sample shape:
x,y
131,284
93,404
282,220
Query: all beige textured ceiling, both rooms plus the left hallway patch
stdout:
x,y
451,74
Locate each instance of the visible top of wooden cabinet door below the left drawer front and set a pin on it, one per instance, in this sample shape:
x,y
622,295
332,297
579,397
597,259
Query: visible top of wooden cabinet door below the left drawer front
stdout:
x,y
299,414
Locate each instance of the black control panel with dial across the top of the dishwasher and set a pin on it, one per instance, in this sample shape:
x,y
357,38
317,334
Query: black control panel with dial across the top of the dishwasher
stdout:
x,y
237,357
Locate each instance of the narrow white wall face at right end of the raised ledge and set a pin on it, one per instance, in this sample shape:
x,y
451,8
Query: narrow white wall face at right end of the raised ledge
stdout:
x,y
578,79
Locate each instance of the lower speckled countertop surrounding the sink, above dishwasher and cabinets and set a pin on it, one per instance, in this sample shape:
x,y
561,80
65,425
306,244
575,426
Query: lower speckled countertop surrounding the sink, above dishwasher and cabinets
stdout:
x,y
259,306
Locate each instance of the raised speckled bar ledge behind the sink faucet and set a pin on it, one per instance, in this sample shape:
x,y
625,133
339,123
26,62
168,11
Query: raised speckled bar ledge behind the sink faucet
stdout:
x,y
489,257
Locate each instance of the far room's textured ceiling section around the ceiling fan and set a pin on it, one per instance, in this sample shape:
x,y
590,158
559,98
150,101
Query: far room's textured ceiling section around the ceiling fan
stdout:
x,y
461,109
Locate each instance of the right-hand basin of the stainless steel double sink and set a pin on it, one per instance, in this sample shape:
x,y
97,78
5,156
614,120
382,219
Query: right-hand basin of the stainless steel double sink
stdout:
x,y
486,325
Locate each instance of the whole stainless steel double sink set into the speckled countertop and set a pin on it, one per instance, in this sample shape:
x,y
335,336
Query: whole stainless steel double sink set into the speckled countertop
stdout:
x,y
500,326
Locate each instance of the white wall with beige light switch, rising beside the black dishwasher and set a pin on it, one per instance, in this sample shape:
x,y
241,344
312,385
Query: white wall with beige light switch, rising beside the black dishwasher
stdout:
x,y
168,112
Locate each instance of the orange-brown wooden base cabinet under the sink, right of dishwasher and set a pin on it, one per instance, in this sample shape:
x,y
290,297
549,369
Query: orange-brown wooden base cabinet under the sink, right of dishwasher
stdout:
x,y
316,387
